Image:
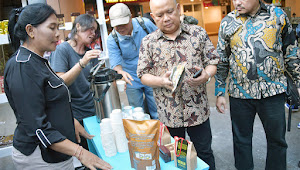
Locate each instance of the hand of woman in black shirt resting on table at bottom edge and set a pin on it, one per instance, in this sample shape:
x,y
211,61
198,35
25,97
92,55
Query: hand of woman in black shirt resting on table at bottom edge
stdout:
x,y
92,161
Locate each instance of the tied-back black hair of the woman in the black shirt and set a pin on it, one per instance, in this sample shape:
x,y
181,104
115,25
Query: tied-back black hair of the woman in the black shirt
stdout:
x,y
34,14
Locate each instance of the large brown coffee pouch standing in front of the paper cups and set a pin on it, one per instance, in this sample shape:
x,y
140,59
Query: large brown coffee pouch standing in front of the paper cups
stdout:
x,y
142,143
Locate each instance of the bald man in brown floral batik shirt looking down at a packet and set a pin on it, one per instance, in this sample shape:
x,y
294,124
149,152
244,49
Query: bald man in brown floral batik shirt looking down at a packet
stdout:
x,y
173,44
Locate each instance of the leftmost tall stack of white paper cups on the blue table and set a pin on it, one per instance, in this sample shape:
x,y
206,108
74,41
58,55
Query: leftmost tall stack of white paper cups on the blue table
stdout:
x,y
108,138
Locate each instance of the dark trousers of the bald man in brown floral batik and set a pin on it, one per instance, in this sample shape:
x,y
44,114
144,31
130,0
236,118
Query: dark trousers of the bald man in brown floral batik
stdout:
x,y
201,137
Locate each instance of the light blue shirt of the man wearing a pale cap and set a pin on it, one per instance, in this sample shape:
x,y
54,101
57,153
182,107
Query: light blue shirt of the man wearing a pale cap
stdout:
x,y
130,46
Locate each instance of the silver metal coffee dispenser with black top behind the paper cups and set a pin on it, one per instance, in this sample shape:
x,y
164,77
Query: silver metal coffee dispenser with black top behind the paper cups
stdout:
x,y
105,92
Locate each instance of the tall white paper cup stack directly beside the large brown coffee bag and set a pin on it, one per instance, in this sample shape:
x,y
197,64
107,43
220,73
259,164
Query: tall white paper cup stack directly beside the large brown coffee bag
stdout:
x,y
118,129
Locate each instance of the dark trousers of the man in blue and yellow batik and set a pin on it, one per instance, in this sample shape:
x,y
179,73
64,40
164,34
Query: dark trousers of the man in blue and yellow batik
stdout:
x,y
272,115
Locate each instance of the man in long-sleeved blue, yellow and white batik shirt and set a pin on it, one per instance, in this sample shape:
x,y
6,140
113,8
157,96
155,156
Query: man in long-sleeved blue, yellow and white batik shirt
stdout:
x,y
256,44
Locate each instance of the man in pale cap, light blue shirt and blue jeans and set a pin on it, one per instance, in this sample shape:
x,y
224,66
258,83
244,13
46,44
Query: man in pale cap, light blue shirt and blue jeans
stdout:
x,y
123,48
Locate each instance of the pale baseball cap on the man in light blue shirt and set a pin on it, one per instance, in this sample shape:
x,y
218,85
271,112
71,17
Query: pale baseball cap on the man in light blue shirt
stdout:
x,y
119,14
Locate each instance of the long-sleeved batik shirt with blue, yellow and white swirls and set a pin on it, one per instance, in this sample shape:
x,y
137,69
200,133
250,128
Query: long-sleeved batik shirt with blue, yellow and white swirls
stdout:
x,y
254,52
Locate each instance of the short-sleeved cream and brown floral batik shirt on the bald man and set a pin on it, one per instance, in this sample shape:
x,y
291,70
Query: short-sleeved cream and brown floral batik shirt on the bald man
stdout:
x,y
187,106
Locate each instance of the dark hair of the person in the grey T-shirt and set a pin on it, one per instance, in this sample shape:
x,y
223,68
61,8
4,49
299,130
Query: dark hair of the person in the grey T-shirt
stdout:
x,y
86,22
